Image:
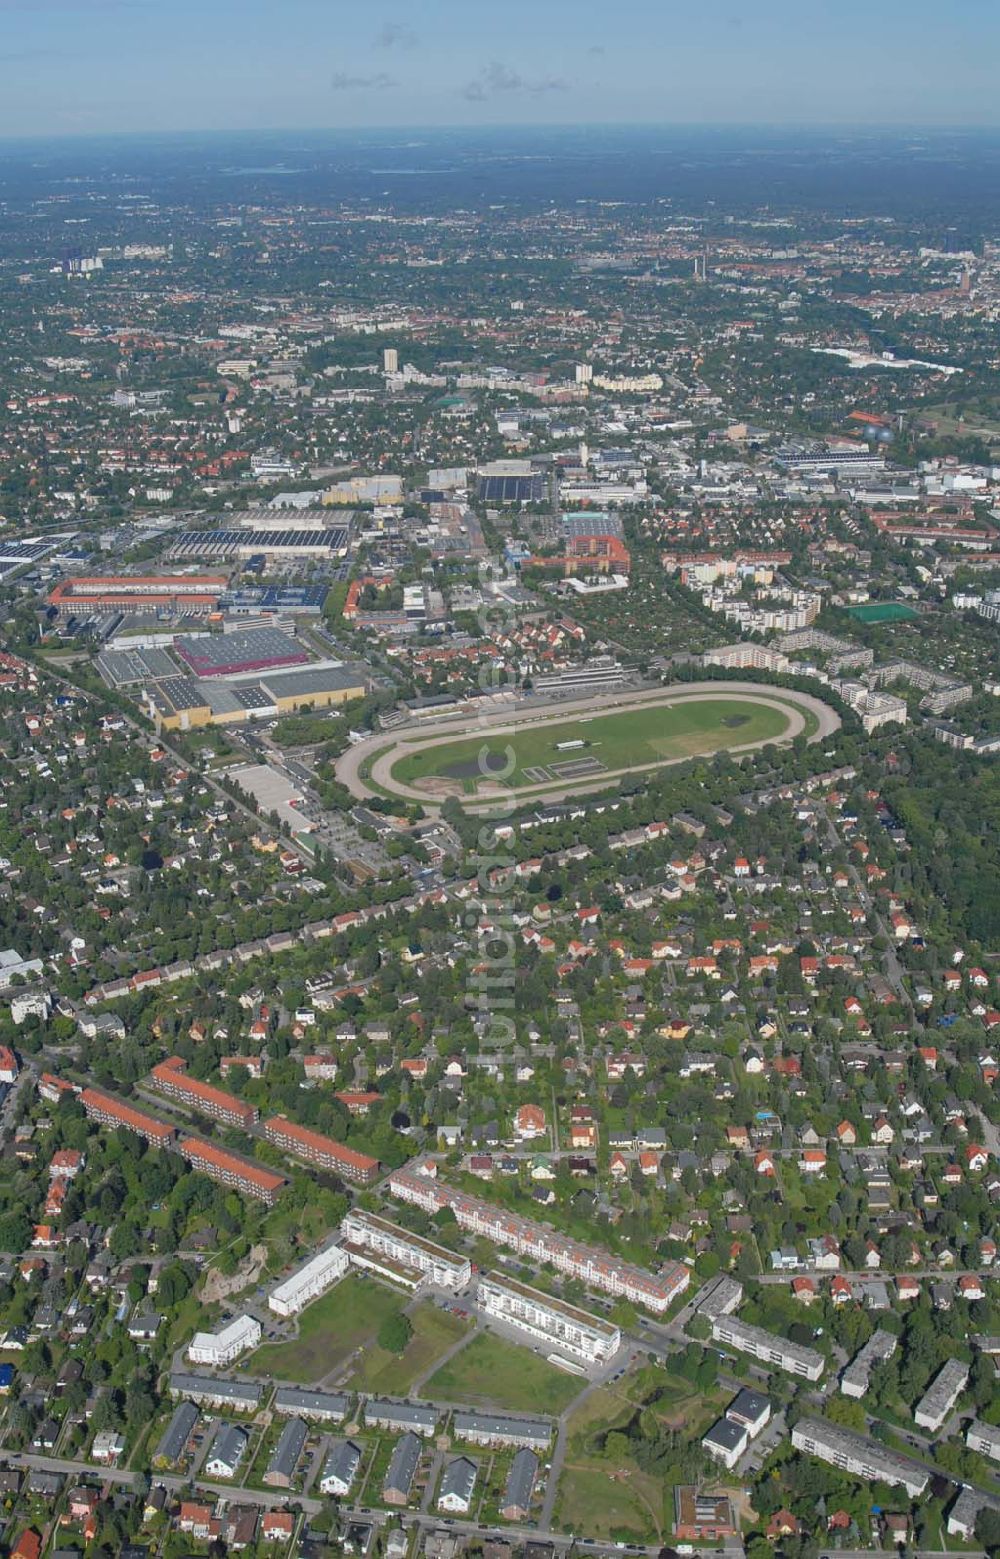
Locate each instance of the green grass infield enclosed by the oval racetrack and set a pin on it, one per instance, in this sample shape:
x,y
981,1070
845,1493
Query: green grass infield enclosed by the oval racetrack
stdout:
x,y
615,741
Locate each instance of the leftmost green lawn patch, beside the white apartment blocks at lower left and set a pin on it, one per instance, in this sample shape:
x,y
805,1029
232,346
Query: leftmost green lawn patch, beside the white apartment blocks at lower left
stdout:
x,y
330,1331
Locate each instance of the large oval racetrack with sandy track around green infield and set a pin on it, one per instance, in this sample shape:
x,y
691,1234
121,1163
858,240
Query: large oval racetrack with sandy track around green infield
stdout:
x,y
553,751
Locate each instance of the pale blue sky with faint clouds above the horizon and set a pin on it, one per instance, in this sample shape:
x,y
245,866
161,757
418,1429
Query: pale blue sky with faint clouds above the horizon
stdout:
x,y
96,66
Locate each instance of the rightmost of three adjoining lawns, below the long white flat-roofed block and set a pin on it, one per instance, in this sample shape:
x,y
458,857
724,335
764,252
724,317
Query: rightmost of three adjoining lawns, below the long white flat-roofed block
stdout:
x,y
497,1374
